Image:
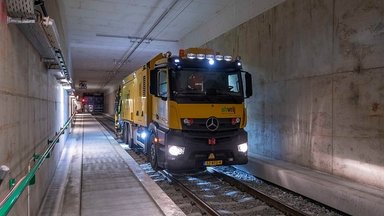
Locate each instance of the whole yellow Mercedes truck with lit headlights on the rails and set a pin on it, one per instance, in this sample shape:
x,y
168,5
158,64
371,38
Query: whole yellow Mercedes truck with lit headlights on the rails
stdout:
x,y
186,112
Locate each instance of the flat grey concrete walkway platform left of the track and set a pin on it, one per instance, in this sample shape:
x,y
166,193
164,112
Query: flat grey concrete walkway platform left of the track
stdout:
x,y
97,177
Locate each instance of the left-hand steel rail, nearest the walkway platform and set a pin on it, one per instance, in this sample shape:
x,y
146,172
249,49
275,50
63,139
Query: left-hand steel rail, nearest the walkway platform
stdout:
x,y
203,205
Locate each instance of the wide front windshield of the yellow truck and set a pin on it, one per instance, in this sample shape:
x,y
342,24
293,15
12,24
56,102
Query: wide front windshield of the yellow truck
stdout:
x,y
211,86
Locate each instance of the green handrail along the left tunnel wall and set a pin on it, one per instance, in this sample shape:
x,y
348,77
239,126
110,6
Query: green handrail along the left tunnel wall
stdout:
x,y
7,204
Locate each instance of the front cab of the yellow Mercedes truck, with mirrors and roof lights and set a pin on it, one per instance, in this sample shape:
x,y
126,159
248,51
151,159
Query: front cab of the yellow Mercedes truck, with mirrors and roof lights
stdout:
x,y
198,111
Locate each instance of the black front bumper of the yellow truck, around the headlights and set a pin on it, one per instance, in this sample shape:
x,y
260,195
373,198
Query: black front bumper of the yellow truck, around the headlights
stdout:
x,y
198,152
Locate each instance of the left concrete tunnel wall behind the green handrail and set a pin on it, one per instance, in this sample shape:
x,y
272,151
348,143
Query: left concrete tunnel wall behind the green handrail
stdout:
x,y
33,106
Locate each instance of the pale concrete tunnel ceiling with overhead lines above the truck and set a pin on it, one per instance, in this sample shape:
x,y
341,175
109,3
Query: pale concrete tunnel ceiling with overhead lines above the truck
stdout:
x,y
102,33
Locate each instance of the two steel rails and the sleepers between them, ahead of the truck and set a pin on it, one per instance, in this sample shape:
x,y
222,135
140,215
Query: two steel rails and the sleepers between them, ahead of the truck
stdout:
x,y
220,194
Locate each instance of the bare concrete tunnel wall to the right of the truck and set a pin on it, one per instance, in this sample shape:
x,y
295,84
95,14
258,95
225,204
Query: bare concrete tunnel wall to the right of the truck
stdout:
x,y
318,79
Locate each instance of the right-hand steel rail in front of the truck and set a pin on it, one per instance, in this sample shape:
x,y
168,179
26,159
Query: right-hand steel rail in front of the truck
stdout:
x,y
288,210
